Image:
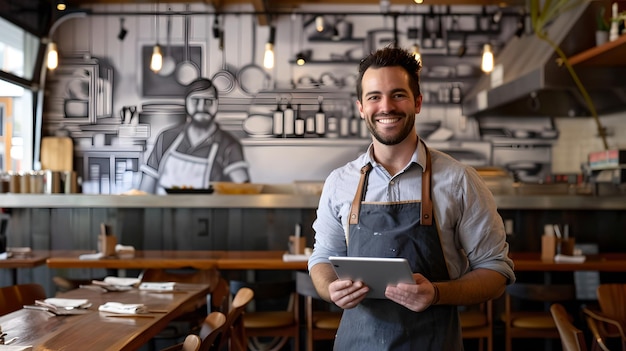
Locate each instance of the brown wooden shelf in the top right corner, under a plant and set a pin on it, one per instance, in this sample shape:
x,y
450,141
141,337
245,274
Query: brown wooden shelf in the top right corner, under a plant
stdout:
x,y
611,53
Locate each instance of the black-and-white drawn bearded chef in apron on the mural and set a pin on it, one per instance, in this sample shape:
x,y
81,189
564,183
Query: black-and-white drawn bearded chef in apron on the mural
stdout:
x,y
197,152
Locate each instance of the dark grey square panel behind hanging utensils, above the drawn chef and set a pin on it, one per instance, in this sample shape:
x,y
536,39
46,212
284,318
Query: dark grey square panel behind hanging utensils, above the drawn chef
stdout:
x,y
156,85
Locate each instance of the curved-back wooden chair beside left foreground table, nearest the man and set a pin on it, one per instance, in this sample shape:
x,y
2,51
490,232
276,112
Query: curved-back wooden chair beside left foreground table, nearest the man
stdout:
x,y
233,335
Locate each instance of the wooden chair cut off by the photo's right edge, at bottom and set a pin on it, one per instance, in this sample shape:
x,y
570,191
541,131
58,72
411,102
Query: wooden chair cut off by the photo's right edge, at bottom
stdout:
x,y
611,318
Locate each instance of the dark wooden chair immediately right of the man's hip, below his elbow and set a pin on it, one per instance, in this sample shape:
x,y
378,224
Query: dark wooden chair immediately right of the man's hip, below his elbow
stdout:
x,y
477,323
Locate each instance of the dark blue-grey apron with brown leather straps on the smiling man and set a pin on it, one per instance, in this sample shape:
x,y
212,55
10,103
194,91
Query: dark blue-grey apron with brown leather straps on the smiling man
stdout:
x,y
398,230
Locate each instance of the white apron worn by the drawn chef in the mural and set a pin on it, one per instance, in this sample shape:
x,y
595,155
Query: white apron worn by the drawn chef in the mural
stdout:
x,y
179,169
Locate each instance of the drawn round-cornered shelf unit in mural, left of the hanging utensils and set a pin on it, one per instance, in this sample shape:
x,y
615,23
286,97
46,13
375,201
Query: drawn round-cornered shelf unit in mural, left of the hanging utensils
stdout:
x,y
79,92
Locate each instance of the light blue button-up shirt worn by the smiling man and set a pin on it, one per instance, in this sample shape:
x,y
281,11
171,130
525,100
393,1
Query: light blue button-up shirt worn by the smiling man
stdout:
x,y
471,230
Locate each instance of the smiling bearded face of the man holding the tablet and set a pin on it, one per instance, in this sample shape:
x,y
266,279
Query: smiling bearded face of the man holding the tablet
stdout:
x,y
388,105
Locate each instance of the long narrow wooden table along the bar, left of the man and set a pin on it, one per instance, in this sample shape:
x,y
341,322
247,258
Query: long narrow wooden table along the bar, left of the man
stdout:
x,y
142,259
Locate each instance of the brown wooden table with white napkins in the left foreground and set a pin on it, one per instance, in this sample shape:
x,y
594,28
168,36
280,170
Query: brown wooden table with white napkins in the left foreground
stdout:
x,y
101,331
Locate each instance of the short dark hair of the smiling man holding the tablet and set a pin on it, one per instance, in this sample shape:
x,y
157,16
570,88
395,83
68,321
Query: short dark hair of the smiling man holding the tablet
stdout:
x,y
391,57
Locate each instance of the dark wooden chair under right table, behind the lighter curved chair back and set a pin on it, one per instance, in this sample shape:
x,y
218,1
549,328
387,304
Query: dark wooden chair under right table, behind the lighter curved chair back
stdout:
x,y
523,318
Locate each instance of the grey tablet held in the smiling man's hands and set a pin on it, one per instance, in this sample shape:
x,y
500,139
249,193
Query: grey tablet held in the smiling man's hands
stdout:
x,y
376,272
